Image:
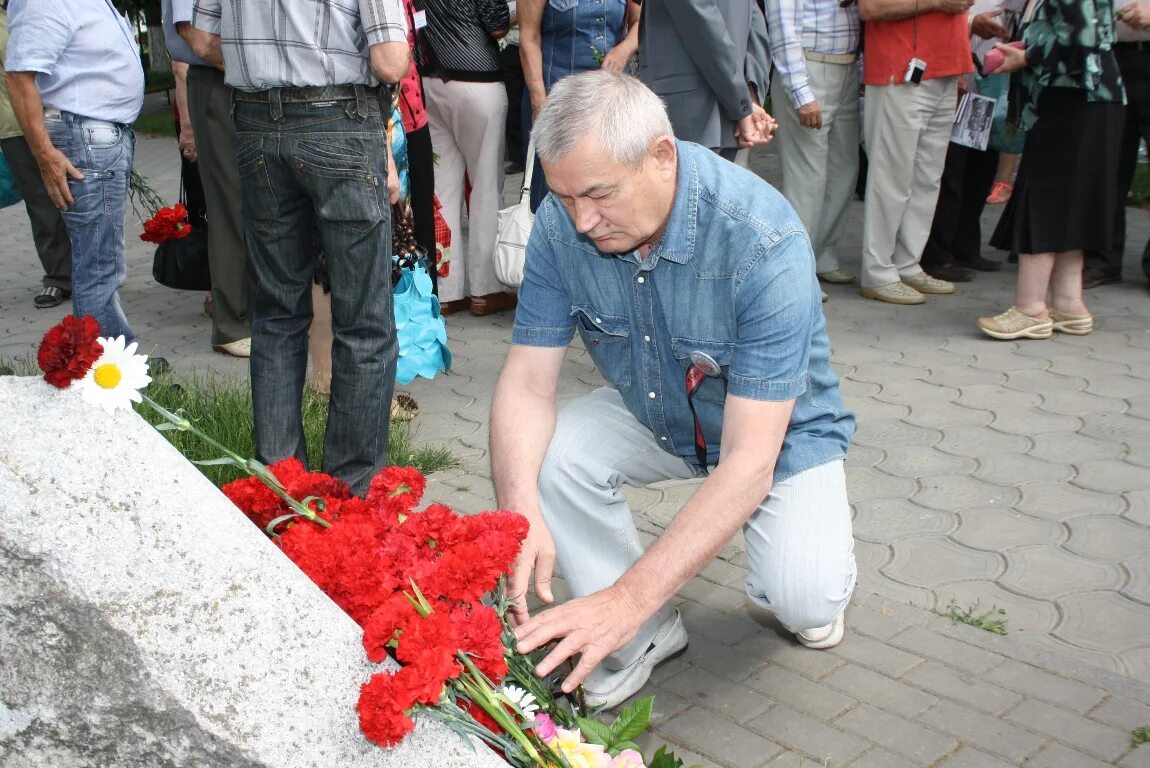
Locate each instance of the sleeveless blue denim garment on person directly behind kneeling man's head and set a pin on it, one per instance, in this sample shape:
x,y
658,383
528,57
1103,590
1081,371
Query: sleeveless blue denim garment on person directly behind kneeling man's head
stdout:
x,y
576,35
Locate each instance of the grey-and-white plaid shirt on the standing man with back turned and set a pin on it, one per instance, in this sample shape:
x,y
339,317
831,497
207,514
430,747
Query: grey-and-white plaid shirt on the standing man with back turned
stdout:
x,y
286,43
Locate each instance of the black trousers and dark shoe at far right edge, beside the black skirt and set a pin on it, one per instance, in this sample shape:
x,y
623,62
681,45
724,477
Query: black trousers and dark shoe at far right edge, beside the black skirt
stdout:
x,y
1134,63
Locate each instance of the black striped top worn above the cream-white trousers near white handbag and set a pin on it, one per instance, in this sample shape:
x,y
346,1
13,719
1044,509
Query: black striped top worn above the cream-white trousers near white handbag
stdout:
x,y
459,43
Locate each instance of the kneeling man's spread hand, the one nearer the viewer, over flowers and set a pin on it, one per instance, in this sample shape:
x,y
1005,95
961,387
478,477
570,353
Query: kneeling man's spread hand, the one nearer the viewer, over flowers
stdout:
x,y
592,627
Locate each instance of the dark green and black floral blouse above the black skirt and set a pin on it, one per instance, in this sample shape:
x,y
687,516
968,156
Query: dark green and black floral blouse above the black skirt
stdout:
x,y
1070,44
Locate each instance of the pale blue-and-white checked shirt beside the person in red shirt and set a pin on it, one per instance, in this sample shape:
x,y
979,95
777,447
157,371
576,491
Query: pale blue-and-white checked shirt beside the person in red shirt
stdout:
x,y
799,26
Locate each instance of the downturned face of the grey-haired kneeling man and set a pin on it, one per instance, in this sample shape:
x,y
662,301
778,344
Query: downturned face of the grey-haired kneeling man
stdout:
x,y
620,209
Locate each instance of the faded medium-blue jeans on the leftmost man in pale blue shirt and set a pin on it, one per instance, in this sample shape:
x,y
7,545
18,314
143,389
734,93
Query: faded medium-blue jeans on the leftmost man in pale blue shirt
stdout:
x,y
103,152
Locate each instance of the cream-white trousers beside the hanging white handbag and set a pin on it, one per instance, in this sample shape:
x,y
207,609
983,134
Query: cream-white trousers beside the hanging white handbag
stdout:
x,y
467,122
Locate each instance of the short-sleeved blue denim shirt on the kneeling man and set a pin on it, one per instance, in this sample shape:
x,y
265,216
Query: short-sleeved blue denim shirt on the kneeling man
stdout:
x,y
733,278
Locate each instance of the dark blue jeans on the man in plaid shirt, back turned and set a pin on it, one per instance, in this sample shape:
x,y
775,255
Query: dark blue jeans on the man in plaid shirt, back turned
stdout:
x,y
316,160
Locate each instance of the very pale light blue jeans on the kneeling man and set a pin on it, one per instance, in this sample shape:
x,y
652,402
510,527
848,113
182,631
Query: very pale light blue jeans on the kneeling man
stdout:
x,y
800,546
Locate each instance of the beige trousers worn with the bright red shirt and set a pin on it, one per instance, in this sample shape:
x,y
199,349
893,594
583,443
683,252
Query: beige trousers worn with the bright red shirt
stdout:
x,y
908,129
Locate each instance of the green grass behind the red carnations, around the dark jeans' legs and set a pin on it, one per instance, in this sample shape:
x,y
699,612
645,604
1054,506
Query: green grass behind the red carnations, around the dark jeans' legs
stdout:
x,y
223,408
